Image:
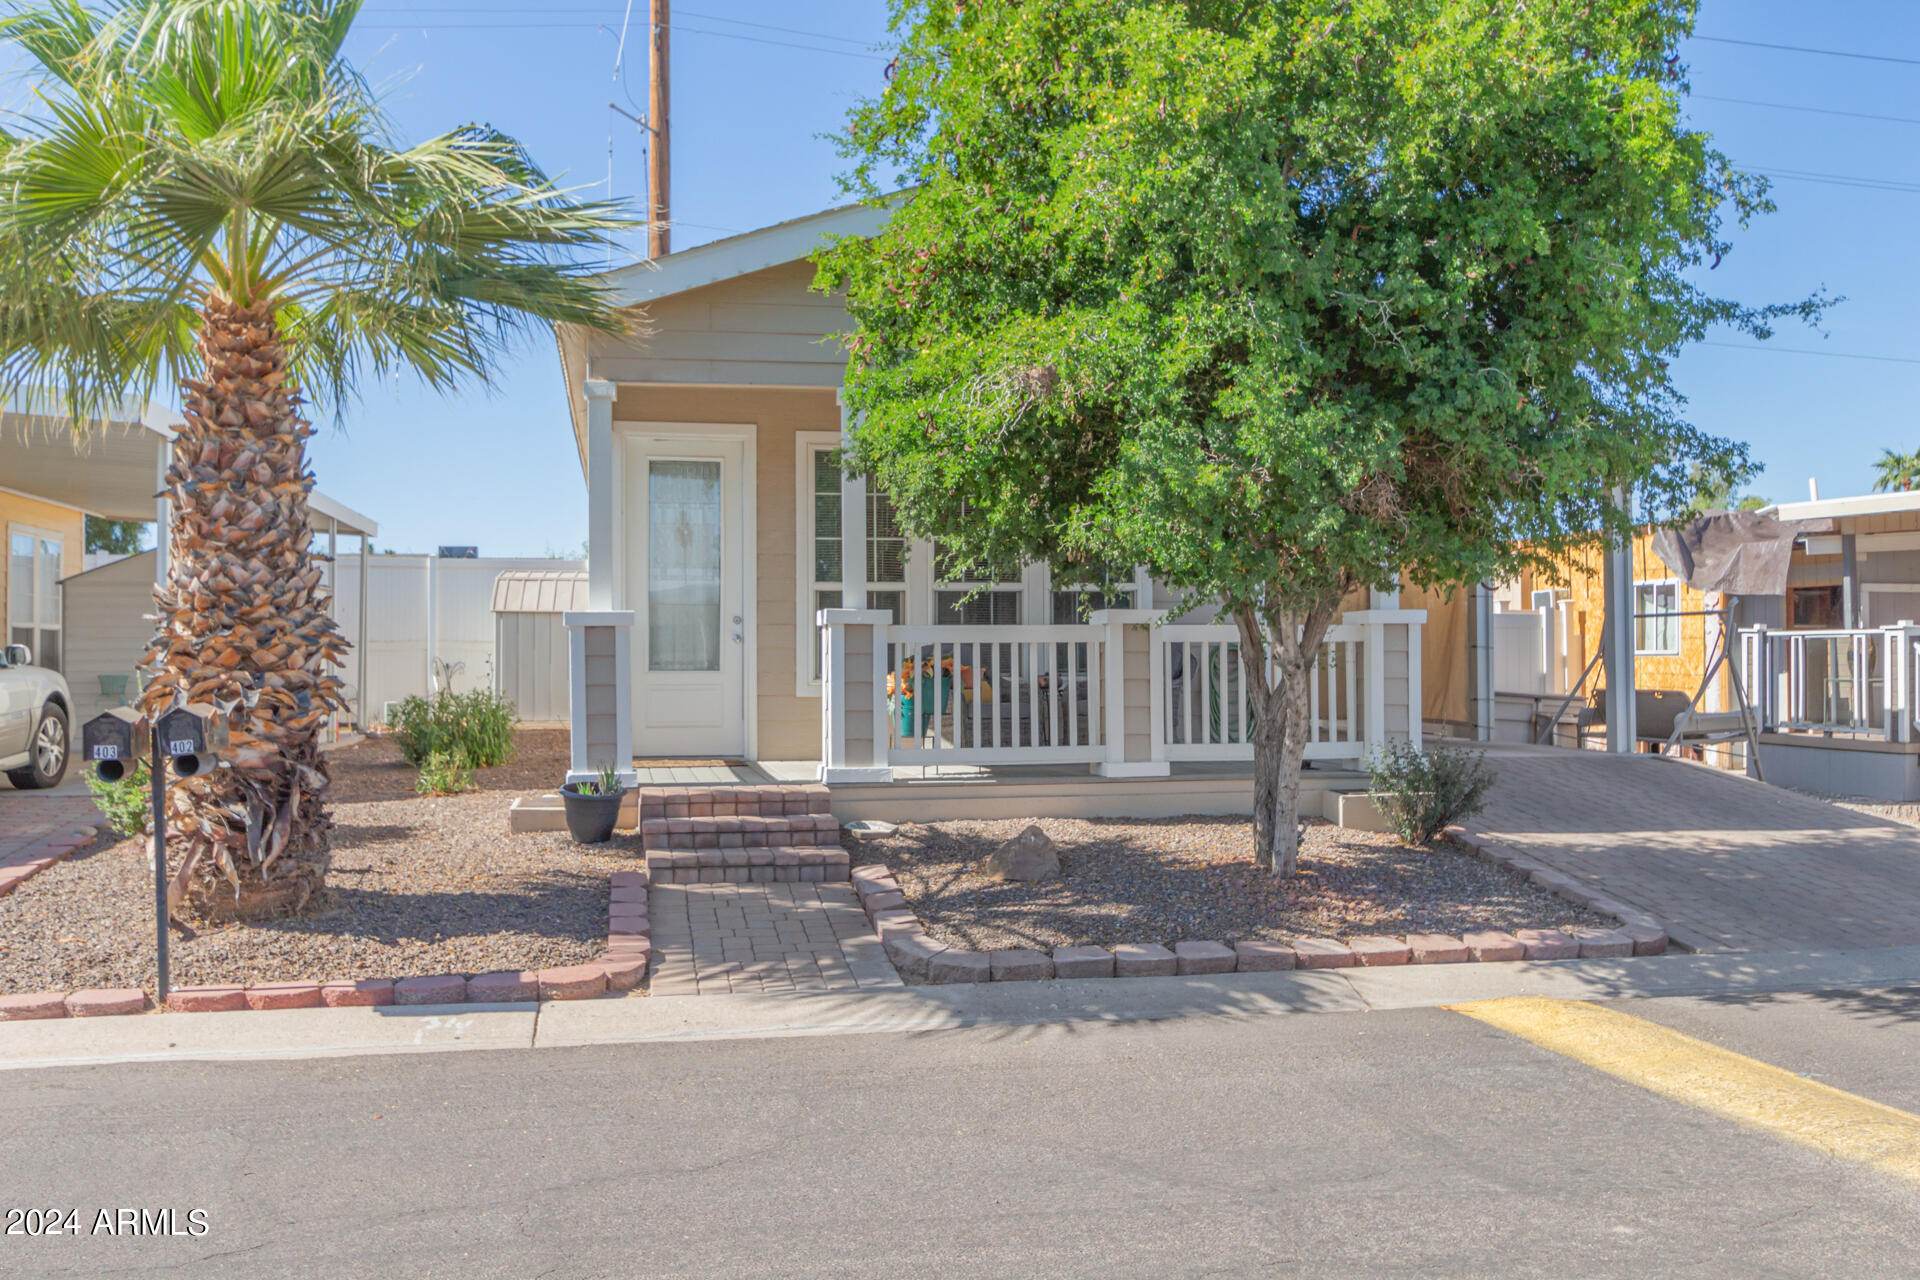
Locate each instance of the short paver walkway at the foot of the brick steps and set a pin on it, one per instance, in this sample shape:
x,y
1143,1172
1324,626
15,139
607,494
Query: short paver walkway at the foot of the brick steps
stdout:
x,y
721,939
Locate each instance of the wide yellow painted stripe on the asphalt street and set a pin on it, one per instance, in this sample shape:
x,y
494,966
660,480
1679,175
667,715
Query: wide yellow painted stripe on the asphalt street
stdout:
x,y
1714,1079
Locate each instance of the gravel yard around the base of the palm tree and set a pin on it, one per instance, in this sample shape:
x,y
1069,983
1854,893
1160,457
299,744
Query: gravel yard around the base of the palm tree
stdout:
x,y
421,886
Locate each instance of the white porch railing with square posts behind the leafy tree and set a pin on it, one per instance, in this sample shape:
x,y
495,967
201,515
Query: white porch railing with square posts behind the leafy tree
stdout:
x,y
1124,694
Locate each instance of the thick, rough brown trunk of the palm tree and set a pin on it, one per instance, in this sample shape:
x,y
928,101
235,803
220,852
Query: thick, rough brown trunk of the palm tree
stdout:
x,y
245,625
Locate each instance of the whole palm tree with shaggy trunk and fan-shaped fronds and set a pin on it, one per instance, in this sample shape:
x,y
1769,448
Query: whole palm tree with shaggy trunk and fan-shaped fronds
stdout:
x,y
208,197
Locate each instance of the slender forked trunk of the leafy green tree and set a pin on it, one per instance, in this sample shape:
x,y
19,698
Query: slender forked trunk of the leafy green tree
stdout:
x,y
1280,661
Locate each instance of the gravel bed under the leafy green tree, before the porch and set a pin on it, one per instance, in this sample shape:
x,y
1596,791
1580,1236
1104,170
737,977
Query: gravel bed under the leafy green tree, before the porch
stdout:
x,y
1195,880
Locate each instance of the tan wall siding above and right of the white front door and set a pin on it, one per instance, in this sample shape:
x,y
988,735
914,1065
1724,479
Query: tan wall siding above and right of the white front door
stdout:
x,y
788,726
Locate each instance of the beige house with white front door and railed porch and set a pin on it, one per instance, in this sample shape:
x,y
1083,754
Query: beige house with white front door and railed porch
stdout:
x,y
750,604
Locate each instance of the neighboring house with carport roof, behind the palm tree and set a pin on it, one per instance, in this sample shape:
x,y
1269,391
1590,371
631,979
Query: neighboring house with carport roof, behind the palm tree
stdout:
x,y
93,625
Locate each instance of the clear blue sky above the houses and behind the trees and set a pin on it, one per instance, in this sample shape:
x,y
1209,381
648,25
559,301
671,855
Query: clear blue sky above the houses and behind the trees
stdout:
x,y
500,471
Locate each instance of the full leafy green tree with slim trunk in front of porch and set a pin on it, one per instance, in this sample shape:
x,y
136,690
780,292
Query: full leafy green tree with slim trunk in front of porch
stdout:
x,y
1284,298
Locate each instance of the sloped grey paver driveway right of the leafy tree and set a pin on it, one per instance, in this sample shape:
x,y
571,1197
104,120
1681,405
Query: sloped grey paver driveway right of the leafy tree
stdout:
x,y
1725,863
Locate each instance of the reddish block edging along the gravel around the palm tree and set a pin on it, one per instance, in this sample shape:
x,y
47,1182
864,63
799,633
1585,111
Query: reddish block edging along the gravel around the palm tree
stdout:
x,y
621,970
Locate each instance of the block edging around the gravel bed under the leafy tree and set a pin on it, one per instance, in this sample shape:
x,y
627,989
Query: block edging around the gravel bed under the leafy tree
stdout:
x,y
919,955
